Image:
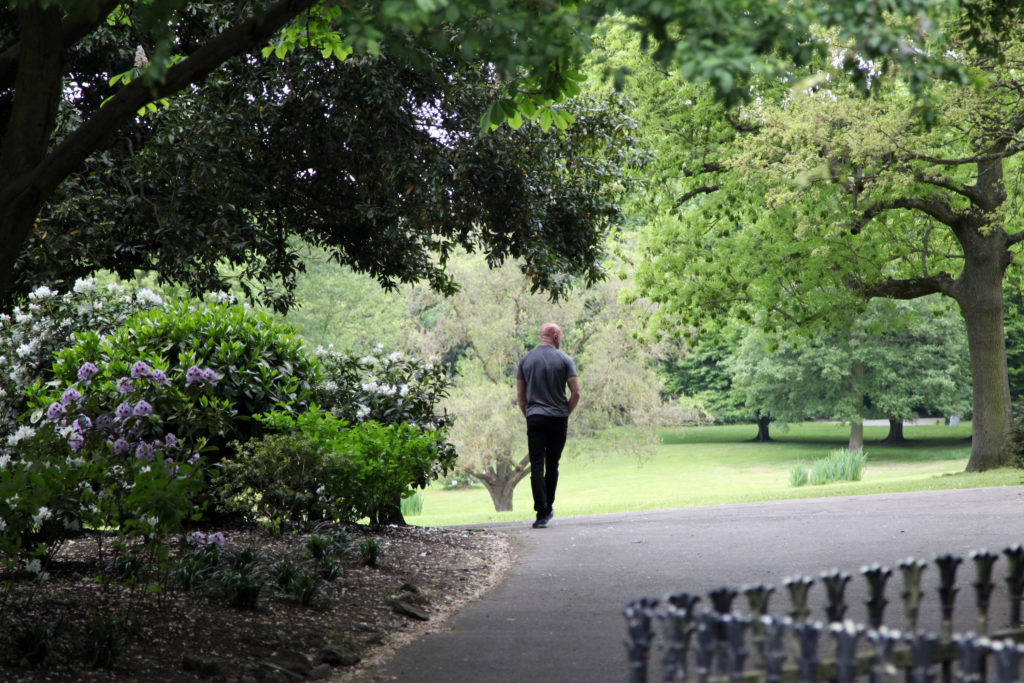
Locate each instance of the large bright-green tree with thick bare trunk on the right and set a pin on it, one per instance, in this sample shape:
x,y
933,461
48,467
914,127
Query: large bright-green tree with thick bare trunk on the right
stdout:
x,y
839,191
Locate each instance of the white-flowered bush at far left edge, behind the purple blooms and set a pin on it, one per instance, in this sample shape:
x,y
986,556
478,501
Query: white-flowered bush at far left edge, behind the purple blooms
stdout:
x,y
31,336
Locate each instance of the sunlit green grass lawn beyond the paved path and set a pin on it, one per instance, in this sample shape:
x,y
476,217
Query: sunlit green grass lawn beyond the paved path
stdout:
x,y
718,465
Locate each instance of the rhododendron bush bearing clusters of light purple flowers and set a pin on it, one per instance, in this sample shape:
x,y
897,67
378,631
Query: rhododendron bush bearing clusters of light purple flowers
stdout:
x,y
132,436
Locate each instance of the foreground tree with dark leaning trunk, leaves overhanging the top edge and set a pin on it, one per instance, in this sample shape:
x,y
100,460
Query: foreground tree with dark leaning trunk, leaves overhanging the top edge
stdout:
x,y
70,61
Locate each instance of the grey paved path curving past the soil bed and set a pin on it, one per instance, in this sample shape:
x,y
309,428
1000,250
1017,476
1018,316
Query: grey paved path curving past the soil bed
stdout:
x,y
558,615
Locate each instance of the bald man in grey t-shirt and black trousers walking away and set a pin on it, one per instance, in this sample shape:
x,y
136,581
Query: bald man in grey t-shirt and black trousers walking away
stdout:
x,y
541,380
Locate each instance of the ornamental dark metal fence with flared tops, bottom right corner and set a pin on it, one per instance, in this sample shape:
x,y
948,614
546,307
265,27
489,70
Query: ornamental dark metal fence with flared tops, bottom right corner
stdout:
x,y
714,643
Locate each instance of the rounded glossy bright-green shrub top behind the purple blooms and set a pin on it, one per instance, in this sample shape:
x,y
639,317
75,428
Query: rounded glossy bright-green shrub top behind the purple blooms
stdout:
x,y
246,360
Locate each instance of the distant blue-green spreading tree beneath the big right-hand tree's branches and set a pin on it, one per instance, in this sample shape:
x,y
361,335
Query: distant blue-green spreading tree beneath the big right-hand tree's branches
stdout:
x,y
902,360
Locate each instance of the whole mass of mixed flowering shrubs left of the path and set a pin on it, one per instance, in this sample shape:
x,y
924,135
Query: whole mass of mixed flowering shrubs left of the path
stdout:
x,y
155,415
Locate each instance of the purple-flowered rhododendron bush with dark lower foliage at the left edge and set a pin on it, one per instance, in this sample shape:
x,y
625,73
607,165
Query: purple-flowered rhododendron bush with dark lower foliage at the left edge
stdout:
x,y
107,449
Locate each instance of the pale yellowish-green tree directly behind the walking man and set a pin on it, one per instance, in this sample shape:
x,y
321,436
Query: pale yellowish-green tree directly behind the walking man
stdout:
x,y
495,320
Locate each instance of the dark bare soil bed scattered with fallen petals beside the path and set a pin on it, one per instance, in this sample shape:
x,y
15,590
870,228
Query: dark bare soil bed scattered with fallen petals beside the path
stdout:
x,y
365,614
